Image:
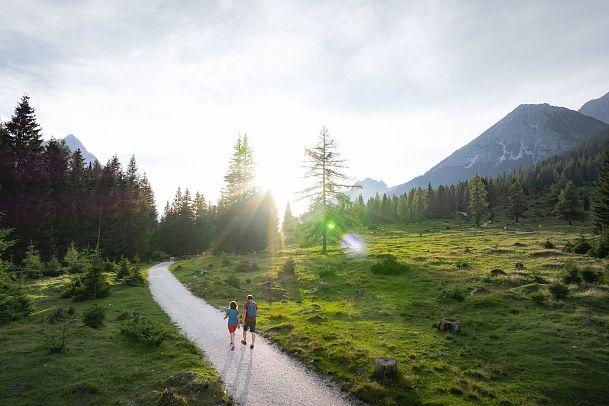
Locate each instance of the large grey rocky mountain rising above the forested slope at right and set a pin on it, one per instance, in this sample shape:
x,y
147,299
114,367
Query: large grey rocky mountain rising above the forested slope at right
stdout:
x,y
526,136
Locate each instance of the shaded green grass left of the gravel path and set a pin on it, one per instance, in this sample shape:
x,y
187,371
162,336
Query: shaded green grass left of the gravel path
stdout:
x,y
100,366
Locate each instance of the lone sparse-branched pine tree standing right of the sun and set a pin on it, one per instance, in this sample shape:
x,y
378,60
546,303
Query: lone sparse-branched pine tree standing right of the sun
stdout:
x,y
325,167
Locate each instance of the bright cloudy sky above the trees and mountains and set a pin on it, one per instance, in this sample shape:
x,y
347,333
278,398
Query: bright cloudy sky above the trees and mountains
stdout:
x,y
399,84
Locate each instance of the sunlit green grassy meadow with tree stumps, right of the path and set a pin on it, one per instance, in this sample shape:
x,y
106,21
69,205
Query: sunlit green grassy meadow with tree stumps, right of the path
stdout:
x,y
518,345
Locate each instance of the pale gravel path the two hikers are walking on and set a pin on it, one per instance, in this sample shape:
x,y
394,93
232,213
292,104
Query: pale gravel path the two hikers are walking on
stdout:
x,y
262,376
